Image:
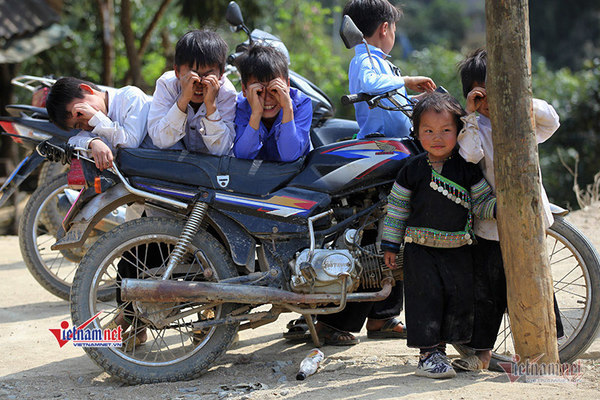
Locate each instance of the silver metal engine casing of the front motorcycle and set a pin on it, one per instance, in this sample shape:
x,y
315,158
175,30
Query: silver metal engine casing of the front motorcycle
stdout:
x,y
322,275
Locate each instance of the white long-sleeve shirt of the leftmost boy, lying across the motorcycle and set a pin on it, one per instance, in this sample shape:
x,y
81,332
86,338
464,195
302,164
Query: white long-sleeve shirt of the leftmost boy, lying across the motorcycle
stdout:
x,y
125,123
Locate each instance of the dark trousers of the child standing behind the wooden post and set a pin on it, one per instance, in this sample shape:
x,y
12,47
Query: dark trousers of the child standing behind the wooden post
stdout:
x,y
489,283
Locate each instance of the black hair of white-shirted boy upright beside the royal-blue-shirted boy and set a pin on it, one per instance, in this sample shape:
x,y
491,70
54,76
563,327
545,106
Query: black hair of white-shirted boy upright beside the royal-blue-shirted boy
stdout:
x,y
201,48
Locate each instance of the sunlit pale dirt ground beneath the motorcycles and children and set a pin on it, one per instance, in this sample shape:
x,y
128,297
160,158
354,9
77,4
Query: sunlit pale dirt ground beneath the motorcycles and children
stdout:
x,y
260,366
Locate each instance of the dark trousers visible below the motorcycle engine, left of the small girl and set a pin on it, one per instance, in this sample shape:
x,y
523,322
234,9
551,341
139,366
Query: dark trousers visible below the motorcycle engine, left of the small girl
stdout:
x,y
353,317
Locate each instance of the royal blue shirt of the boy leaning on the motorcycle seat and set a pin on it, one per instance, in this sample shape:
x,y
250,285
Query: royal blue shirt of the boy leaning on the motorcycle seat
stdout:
x,y
283,142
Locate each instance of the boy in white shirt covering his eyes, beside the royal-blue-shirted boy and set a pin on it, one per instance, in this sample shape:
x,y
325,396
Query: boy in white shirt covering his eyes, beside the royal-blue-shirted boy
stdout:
x,y
193,105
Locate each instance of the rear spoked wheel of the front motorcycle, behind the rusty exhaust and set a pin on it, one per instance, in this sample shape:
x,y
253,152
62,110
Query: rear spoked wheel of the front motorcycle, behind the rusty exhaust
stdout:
x,y
172,351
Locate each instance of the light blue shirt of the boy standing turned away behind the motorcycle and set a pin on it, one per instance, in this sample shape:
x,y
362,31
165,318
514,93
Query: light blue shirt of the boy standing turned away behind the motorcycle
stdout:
x,y
364,78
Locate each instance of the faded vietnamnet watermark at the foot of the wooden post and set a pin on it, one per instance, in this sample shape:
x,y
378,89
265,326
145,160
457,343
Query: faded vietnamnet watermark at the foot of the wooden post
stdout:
x,y
534,372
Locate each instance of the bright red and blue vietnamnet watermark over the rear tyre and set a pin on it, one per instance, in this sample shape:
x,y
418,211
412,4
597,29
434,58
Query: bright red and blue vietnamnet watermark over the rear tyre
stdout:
x,y
93,337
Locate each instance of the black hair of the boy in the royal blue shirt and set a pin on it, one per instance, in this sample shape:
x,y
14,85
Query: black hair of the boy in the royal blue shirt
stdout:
x,y
264,63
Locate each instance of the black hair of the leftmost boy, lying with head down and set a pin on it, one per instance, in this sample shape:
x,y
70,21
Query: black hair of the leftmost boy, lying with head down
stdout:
x,y
63,92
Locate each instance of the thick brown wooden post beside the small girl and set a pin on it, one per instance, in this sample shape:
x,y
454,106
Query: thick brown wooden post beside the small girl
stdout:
x,y
516,166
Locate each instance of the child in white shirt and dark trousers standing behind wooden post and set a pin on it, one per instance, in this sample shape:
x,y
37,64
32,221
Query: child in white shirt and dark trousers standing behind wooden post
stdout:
x,y
475,142
